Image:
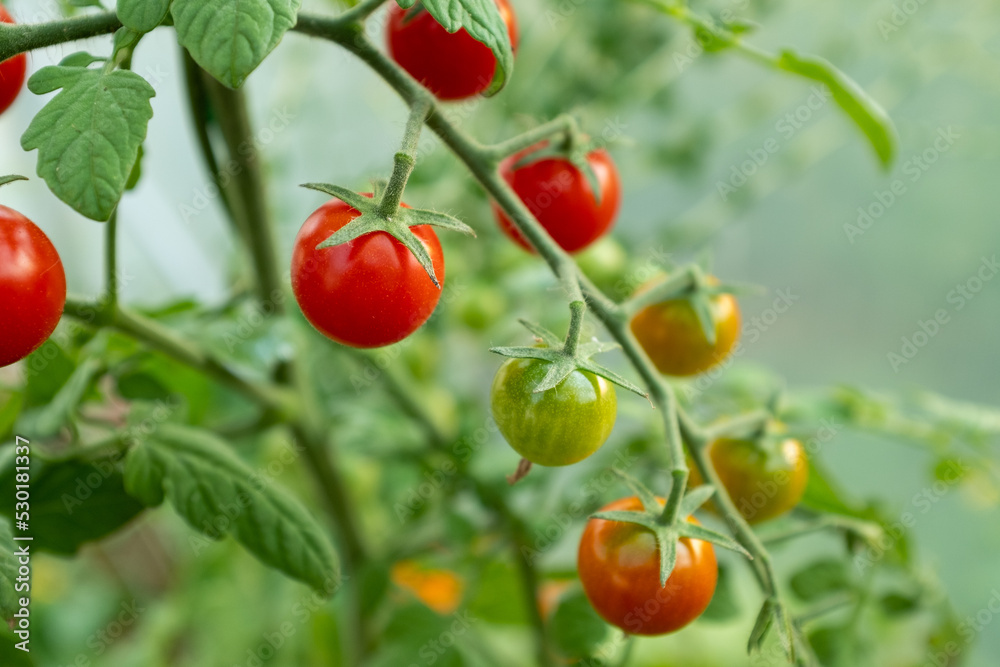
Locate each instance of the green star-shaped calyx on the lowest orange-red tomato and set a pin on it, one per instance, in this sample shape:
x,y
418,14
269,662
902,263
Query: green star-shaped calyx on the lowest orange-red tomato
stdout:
x,y
667,530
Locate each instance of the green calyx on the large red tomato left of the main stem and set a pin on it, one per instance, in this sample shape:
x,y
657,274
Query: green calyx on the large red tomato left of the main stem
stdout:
x,y
396,225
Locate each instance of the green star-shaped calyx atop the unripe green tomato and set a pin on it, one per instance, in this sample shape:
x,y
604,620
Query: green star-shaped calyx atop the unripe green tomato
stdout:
x,y
565,357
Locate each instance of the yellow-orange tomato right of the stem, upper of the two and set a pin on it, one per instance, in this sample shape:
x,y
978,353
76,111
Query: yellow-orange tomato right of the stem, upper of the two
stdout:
x,y
671,335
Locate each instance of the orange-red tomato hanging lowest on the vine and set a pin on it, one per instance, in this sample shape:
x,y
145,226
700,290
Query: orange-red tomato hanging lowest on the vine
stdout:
x,y
619,567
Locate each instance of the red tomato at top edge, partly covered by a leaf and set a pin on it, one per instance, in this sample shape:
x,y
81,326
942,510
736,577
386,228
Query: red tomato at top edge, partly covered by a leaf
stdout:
x,y
453,66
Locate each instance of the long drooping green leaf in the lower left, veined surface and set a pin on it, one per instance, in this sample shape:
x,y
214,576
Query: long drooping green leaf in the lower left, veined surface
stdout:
x,y
217,494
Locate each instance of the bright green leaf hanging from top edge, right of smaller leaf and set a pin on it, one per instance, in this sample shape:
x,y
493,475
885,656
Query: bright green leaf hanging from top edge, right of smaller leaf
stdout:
x,y
230,39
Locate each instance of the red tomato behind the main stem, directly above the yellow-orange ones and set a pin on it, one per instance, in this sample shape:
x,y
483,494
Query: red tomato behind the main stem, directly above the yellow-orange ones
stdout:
x,y
559,195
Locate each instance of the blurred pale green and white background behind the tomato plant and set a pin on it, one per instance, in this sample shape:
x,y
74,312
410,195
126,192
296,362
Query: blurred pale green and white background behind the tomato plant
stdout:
x,y
817,219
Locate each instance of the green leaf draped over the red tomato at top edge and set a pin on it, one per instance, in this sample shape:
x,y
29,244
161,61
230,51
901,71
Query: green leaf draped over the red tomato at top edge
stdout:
x,y
482,20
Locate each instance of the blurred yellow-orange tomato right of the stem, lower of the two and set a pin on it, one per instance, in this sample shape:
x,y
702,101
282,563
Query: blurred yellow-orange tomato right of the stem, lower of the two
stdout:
x,y
763,481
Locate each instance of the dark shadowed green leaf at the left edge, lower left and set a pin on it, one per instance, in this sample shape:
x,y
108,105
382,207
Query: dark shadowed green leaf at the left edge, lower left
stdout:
x,y
72,502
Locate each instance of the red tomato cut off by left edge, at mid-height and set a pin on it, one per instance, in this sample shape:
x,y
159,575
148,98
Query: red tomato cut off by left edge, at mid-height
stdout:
x,y
32,287
